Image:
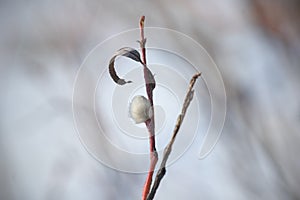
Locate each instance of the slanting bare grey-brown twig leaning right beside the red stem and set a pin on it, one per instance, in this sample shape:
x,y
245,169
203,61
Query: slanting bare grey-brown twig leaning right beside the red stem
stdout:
x,y
162,169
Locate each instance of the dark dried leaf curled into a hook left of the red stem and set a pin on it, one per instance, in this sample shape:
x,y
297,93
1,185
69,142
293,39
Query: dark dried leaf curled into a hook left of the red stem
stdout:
x,y
127,52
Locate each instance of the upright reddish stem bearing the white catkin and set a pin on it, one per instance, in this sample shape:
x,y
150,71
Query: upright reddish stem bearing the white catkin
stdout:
x,y
150,84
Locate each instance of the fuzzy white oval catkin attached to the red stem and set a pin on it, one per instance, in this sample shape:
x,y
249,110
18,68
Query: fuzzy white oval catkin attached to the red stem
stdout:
x,y
139,109
